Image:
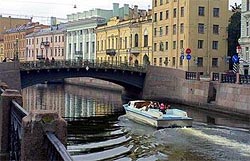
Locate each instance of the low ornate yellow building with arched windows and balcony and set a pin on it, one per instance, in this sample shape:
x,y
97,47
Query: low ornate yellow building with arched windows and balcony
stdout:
x,y
125,41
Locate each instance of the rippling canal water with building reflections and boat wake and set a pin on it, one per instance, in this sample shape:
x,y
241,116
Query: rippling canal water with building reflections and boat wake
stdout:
x,y
99,130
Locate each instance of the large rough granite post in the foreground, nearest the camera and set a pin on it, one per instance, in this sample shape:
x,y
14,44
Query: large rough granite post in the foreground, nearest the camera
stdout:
x,y
35,125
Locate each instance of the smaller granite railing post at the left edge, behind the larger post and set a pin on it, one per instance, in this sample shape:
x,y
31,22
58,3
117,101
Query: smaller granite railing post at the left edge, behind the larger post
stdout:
x,y
5,100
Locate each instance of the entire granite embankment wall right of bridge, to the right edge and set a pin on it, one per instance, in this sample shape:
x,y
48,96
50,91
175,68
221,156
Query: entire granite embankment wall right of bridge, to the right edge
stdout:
x,y
171,86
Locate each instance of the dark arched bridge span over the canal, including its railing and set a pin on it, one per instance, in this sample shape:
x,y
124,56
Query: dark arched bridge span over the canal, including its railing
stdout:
x,y
130,77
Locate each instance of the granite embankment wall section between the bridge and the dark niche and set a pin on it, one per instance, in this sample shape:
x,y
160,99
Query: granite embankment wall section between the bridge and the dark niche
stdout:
x,y
162,84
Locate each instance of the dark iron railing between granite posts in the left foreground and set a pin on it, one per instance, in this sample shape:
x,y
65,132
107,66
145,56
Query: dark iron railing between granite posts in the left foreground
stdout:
x,y
56,150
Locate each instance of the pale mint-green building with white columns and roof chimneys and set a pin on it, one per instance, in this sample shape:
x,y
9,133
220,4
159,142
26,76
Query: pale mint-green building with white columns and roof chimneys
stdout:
x,y
81,36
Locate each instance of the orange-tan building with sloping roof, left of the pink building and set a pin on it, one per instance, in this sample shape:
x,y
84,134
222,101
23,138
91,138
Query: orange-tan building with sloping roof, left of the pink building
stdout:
x,y
15,40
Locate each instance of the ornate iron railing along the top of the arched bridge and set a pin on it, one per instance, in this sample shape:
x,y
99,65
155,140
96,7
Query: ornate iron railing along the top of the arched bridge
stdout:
x,y
30,65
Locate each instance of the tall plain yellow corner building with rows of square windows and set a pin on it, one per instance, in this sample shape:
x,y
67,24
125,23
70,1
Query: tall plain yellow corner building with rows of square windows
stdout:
x,y
200,25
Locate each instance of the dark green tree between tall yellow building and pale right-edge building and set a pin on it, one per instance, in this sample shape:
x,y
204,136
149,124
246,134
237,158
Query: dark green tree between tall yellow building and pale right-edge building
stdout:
x,y
234,31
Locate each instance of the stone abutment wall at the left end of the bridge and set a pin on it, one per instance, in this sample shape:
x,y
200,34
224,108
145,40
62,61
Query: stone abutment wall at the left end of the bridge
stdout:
x,y
10,73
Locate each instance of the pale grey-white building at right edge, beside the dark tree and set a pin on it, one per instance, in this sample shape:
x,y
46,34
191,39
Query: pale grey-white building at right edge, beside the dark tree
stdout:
x,y
245,38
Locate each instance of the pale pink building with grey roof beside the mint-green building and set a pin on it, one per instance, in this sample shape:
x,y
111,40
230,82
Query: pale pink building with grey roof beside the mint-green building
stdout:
x,y
46,43
